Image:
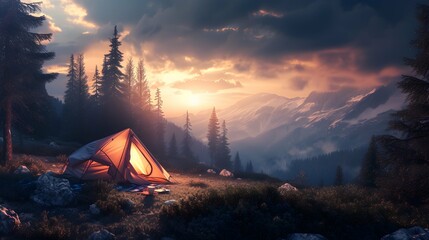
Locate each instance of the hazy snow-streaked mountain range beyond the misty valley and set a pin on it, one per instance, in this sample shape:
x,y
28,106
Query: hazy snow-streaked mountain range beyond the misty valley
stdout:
x,y
272,130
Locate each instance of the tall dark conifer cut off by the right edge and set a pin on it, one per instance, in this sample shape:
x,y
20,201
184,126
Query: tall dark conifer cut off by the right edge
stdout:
x,y
405,160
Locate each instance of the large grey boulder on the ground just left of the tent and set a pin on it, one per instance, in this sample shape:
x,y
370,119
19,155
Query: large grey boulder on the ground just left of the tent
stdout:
x,y
53,191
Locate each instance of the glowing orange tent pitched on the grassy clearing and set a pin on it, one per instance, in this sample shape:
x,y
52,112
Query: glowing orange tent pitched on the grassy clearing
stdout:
x,y
120,157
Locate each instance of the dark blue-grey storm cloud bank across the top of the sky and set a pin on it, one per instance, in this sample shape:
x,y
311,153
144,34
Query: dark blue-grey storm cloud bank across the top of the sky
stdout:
x,y
379,31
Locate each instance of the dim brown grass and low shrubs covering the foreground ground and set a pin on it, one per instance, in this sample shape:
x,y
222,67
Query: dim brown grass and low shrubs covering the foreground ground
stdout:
x,y
208,207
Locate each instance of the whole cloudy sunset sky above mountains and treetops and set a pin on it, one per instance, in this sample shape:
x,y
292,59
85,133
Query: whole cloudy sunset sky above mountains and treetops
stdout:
x,y
211,53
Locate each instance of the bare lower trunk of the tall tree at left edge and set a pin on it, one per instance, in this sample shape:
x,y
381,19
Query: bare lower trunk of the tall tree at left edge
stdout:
x,y
7,135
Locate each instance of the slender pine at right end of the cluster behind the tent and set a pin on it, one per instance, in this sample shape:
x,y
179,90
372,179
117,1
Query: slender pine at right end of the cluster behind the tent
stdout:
x,y
159,124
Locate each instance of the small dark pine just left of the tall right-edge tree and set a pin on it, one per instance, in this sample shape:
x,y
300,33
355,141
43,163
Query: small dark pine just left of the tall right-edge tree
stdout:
x,y
370,167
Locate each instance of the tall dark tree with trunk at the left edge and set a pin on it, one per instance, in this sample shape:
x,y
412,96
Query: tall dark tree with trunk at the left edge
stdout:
x,y
22,55
